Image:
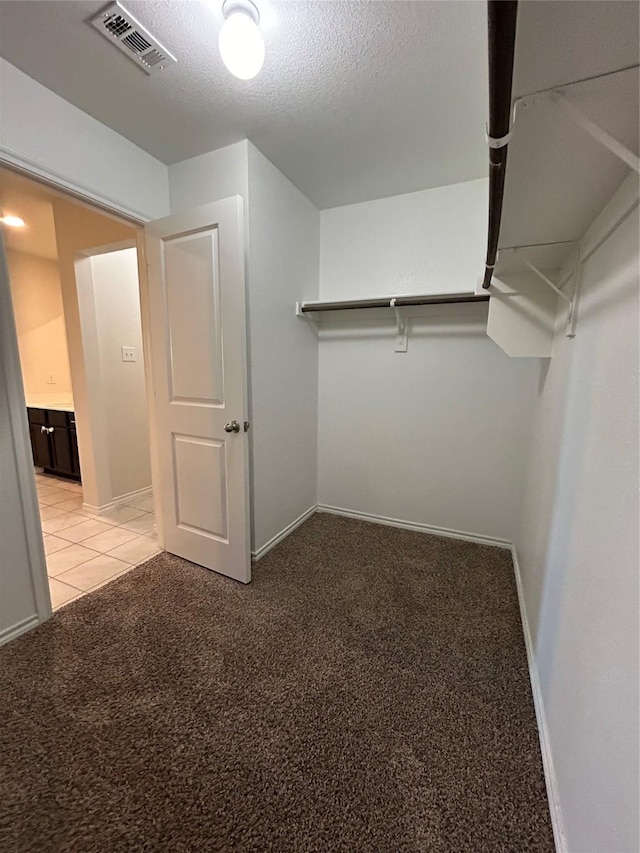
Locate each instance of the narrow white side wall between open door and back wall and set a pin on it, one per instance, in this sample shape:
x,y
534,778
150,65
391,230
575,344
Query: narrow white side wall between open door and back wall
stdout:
x,y
284,228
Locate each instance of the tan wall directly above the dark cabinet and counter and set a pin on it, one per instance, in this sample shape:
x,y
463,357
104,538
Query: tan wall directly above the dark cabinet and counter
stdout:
x,y
42,336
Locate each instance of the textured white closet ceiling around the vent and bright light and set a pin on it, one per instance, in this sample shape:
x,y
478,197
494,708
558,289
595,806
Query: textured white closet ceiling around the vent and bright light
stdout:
x,y
356,100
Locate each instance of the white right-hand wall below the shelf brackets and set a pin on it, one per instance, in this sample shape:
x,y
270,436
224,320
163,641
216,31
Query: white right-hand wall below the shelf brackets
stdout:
x,y
577,548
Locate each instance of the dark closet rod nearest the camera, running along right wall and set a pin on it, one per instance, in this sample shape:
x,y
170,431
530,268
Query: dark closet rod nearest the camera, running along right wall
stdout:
x,y
502,38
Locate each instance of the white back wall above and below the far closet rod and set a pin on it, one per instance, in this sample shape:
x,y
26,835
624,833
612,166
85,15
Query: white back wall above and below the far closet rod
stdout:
x,y
434,436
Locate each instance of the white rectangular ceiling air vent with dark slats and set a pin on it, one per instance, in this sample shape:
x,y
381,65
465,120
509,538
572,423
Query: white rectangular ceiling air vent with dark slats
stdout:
x,y
122,29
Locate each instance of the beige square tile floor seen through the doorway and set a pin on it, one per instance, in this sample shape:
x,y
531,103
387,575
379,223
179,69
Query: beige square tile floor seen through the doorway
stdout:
x,y
85,551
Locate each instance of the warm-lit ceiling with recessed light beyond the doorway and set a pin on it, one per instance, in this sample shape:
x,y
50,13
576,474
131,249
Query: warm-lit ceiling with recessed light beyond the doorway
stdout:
x,y
20,197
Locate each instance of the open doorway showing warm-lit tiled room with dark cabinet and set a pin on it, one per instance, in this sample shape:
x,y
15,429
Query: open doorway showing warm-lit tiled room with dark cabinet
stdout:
x,y
73,273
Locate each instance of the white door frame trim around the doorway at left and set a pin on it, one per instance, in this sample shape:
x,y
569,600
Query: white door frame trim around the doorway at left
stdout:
x,y
15,389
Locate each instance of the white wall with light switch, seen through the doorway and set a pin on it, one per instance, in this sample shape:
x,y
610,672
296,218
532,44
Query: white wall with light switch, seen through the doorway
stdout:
x,y
116,303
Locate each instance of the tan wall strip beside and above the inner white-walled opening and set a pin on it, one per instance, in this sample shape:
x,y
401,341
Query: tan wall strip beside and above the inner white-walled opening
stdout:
x,y
79,230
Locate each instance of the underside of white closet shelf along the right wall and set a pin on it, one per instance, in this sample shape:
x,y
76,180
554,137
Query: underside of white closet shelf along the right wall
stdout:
x,y
558,177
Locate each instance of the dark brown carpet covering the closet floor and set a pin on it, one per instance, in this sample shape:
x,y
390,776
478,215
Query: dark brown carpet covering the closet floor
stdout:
x,y
367,692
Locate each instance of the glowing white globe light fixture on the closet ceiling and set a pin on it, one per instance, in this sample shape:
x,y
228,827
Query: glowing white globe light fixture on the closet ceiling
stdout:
x,y
240,41
